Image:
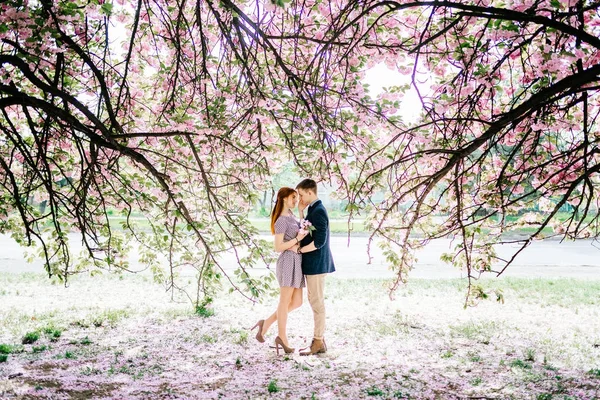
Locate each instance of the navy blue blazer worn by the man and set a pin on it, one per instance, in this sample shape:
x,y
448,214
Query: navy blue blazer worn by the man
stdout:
x,y
319,261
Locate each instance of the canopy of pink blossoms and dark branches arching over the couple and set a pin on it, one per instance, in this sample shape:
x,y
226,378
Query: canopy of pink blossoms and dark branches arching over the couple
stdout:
x,y
182,111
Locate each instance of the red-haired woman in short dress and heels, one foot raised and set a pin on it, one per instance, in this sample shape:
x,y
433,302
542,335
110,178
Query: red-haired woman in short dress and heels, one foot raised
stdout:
x,y
285,227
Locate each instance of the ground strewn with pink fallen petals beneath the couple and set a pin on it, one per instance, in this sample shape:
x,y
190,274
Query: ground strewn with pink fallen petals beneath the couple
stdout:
x,y
123,337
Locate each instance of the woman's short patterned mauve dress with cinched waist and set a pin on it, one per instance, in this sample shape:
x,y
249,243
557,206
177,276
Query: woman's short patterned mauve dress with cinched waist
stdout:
x,y
289,263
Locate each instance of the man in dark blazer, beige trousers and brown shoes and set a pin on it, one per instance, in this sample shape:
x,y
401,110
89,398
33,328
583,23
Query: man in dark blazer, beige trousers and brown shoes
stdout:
x,y
316,259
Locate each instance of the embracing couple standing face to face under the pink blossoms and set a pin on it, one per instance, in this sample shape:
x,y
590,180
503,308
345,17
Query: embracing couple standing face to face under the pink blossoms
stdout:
x,y
304,261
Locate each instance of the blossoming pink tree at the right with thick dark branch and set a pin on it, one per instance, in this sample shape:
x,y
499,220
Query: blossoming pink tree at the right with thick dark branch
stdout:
x,y
509,125
